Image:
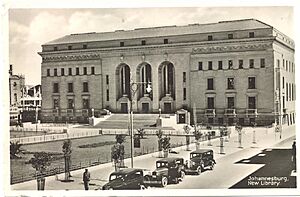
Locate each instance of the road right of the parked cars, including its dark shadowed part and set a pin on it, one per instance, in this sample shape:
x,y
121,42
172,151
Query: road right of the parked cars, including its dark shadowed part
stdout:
x,y
233,171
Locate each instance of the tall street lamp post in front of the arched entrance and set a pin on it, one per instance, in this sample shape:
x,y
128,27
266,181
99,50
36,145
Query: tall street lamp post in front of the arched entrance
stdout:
x,y
134,86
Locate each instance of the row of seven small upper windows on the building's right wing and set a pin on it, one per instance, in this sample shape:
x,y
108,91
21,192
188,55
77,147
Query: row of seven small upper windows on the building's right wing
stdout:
x,y
230,64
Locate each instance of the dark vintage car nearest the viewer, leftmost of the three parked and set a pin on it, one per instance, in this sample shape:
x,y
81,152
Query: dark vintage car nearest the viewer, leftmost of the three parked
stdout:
x,y
127,178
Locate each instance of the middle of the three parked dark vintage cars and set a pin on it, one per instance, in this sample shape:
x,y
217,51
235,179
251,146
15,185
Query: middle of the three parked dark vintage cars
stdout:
x,y
167,170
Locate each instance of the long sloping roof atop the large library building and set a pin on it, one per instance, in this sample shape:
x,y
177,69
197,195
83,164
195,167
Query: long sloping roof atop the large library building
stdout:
x,y
174,30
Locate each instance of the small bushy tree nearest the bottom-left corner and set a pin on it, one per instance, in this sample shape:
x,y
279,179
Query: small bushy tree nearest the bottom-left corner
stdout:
x,y
40,162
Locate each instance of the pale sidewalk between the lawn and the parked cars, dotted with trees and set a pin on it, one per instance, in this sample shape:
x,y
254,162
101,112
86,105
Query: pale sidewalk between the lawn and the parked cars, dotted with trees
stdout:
x,y
265,138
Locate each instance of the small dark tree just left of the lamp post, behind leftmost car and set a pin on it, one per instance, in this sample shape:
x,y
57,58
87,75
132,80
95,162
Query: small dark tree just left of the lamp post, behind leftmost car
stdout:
x,y
118,152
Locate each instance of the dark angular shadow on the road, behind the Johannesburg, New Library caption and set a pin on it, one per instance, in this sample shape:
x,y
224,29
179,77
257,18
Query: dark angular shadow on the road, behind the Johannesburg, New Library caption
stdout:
x,y
276,173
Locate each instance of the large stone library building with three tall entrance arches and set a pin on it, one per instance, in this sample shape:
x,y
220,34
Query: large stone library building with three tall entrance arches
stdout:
x,y
226,72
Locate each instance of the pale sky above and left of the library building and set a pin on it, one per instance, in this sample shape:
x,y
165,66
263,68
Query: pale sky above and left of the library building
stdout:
x,y
30,28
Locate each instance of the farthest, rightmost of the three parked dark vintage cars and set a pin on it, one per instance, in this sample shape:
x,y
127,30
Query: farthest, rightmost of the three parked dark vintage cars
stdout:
x,y
200,160
